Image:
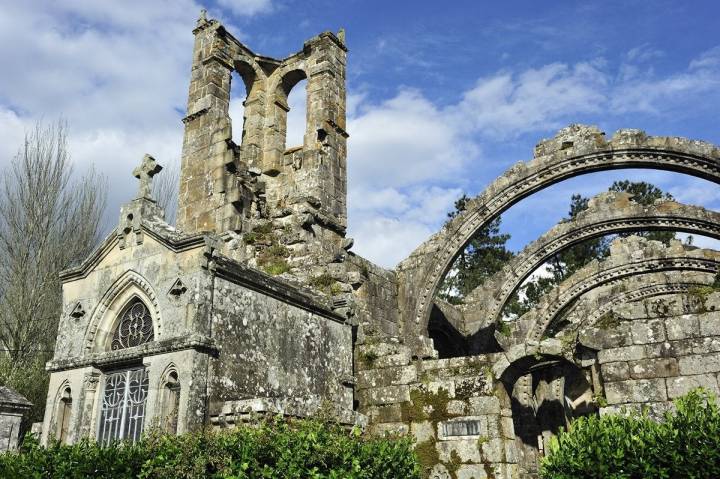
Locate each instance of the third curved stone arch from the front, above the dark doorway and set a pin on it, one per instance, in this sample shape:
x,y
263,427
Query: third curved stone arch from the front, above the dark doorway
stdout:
x,y
630,257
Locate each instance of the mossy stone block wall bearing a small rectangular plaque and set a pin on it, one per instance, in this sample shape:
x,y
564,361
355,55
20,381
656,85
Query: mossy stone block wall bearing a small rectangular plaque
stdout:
x,y
456,409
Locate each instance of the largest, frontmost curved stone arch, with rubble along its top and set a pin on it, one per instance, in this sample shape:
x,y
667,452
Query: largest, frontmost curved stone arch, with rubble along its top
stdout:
x,y
574,151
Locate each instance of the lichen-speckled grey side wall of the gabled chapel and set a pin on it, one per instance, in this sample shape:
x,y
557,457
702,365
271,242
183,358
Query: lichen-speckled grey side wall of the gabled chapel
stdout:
x,y
296,358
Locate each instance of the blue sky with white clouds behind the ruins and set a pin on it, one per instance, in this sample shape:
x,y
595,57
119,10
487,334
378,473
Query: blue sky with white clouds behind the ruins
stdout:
x,y
443,96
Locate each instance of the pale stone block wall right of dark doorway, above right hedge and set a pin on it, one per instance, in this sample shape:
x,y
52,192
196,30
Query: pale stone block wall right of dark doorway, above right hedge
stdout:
x,y
661,348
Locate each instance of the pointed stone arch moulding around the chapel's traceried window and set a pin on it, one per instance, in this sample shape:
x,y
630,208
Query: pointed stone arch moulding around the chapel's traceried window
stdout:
x,y
106,314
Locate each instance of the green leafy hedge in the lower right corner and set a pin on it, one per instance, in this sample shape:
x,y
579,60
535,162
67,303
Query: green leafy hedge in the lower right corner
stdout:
x,y
685,445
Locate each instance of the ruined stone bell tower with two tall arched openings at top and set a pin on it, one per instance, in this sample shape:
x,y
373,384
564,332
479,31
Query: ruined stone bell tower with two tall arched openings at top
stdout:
x,y
225,187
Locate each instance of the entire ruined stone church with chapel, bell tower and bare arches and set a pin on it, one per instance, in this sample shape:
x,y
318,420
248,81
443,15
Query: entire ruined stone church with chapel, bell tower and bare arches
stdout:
x,y
255,303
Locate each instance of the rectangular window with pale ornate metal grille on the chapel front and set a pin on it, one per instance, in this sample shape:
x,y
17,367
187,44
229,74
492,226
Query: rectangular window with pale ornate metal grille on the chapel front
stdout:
x,y
123,406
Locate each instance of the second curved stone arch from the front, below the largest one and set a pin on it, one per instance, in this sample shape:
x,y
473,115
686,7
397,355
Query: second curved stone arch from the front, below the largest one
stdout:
x,y
608,213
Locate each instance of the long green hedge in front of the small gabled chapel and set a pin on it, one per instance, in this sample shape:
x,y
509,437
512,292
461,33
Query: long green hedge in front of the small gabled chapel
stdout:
x,y
276,449
